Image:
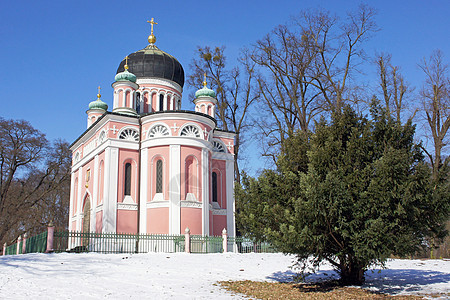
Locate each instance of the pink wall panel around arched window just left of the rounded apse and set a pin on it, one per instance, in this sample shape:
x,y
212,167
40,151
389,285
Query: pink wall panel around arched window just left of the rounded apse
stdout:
x,y
127,156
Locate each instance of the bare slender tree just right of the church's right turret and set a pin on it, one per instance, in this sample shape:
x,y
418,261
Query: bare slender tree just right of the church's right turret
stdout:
x,y
235,90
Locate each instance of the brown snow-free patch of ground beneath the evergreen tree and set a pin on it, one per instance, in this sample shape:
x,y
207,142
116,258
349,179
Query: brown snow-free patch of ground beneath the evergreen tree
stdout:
x,y
328,290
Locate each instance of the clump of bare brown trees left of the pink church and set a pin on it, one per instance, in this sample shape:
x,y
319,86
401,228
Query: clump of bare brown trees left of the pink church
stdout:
x,y
32,173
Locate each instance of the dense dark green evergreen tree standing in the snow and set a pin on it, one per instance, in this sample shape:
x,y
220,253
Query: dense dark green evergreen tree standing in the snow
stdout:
x,y
365,194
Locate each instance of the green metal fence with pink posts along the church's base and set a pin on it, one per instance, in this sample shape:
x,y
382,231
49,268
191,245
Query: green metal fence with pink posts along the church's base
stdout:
x,y
75,241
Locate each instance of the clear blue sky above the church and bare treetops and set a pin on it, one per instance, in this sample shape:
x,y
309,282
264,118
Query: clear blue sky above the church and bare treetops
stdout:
x,y
54,54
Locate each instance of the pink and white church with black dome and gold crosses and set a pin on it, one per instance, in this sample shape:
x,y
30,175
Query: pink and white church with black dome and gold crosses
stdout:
x,y
147,166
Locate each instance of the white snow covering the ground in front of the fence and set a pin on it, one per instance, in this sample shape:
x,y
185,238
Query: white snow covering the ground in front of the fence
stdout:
x,y
184,276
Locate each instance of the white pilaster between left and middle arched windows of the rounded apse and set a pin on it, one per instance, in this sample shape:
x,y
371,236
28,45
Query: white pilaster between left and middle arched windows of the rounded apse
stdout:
x,y
174,189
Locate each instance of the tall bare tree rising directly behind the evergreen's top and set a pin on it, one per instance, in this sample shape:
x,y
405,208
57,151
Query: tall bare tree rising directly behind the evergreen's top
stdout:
x,y
339,50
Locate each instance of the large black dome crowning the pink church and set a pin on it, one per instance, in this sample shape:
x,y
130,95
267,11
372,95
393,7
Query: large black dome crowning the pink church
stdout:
x,y
152,62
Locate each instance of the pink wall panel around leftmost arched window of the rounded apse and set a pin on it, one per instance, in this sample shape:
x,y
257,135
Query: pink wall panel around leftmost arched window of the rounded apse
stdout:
x,y
154,154
